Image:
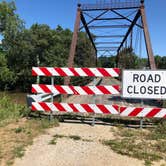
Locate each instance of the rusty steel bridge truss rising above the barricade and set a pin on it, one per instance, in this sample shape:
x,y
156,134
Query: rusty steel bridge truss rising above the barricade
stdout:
x,y
110,25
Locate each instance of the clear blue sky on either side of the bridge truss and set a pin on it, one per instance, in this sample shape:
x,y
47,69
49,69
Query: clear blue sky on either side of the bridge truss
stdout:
x,y
63,12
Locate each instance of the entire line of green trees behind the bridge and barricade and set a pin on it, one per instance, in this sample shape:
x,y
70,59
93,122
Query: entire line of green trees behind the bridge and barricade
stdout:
x,y
23,48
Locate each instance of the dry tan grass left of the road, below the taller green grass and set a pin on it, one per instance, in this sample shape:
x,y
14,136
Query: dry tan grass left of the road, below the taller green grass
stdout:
x,y
16,136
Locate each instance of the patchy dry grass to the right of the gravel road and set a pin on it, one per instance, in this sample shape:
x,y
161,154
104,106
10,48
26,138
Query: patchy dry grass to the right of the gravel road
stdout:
x,y
148,145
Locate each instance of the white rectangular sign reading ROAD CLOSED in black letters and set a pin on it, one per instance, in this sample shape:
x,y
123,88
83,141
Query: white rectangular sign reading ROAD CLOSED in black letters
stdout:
x,y
144,84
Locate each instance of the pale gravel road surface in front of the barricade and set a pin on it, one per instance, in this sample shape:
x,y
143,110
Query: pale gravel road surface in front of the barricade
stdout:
x,y
87,151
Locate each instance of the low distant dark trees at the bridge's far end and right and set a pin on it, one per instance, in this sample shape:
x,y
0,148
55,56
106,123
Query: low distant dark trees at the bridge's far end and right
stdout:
x,y
127,59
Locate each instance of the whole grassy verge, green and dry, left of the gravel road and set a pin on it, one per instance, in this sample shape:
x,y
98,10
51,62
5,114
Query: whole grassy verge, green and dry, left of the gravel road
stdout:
x,y
16,132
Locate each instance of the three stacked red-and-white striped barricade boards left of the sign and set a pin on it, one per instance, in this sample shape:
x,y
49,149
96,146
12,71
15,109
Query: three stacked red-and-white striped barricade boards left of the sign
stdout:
x,y
75,90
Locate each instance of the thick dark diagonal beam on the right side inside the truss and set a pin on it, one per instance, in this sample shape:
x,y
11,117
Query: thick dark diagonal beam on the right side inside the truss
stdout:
x,y
130,29
